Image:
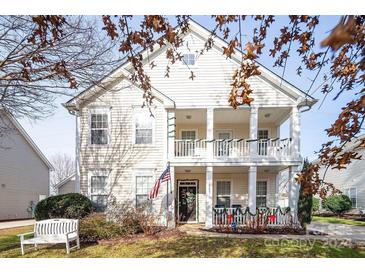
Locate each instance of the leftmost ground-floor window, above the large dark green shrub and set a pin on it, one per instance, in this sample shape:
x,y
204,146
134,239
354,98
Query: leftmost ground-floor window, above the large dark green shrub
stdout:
x,y
98,187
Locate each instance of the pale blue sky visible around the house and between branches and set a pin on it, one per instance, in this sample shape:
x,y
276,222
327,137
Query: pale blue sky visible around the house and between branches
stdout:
x,y
56,134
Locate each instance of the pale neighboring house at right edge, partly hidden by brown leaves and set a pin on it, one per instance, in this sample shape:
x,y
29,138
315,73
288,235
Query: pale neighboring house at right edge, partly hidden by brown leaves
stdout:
x,y
351,181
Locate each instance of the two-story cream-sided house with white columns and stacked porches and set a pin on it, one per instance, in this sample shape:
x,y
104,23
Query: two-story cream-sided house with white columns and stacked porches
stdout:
x,y
219,157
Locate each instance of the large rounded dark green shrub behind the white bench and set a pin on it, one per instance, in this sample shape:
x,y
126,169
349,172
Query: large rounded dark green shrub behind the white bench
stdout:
x,y
72,205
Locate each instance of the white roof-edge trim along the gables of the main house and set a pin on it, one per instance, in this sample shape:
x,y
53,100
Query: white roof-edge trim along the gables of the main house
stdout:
x,y
122,72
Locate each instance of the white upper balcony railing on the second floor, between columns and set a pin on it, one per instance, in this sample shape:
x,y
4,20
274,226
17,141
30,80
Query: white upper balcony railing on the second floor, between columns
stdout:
x,y
232,148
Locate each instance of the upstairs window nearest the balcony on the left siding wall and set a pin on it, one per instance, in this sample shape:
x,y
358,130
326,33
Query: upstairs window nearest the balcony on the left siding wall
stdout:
x,y
143,128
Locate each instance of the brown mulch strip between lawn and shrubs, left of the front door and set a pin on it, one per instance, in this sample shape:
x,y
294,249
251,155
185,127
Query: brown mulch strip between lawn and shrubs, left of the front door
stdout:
x,y
163,234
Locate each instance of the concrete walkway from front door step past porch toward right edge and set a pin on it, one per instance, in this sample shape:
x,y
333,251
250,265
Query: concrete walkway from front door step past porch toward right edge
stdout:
x,y
196,230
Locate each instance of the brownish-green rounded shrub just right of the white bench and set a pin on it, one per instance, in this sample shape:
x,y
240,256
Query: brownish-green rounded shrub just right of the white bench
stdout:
x,y
96,227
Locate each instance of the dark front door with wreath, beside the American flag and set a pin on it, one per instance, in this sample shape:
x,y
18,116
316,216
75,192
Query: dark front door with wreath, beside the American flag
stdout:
x,y
187,201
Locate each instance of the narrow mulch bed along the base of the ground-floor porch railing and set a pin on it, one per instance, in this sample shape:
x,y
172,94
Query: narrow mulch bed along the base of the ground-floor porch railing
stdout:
x,y
267,230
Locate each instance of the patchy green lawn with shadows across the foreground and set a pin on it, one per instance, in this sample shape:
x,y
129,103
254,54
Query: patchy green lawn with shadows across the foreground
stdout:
x,y
180,246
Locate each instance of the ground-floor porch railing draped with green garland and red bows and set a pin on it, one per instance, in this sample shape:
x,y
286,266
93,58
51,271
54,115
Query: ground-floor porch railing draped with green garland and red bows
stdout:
x,y
272,217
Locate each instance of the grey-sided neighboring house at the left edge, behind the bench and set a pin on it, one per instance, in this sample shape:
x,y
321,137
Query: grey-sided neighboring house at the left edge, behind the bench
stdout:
x,y
24,171
